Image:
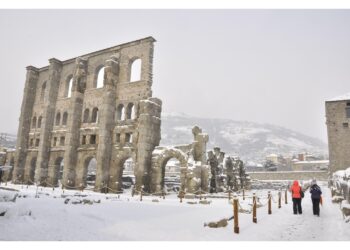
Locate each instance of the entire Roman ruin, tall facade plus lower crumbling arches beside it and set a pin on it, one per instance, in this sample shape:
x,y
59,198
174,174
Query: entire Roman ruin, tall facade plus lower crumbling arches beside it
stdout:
x,y
98,108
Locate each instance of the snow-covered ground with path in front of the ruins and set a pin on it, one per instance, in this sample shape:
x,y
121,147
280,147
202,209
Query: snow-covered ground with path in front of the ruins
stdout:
x,y
47,217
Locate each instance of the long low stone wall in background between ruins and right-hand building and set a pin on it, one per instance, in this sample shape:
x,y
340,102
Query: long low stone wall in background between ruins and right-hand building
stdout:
x,y
290,175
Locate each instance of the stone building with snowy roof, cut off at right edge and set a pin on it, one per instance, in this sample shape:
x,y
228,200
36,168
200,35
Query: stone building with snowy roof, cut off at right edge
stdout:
x,y
338,121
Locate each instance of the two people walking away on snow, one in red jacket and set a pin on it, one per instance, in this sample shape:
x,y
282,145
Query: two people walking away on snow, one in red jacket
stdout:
x,y
298,193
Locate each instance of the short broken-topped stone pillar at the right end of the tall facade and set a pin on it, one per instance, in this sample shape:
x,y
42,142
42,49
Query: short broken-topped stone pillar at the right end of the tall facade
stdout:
x,y
148,138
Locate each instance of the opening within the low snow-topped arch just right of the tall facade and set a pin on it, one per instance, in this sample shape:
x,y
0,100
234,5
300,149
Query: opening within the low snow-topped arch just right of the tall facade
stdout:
x,y
171,176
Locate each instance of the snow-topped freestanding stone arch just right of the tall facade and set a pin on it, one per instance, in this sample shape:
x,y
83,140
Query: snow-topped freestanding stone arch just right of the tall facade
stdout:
x,y
159,160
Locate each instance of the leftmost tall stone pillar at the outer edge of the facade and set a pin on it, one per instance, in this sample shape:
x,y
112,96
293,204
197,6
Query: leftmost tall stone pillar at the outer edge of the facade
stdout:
x,y
25,122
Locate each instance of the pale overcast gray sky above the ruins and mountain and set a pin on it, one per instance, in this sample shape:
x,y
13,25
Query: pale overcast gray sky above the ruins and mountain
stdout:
x,y
267,66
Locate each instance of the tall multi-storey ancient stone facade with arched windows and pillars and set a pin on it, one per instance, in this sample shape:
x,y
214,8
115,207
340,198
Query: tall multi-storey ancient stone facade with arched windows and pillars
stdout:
x,y
68,117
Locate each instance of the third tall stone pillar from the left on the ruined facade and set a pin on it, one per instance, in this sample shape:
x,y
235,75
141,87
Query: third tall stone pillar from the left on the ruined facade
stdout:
x,y
74,122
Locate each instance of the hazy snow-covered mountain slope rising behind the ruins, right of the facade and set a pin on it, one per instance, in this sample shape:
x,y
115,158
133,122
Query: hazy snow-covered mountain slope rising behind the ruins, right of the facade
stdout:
x,y
249,140
